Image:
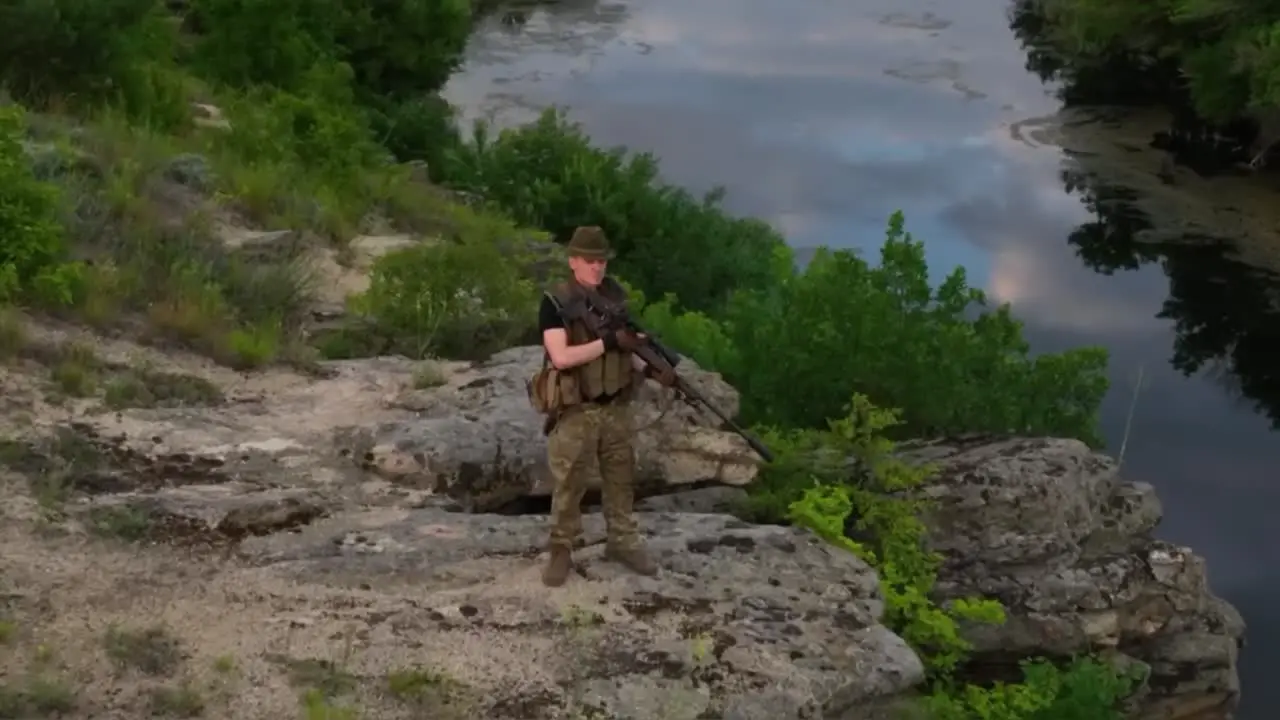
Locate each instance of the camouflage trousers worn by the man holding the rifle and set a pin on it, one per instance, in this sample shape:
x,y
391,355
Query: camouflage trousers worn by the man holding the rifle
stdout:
x,y
593,441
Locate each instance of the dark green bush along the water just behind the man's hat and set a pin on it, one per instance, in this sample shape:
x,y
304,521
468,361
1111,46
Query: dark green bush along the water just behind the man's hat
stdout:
x,y
548,176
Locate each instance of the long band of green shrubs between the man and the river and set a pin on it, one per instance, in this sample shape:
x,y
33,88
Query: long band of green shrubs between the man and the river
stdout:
x,y
796,344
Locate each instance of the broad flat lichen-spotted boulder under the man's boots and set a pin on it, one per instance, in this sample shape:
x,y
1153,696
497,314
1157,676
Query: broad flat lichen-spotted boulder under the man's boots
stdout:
x,y
744,622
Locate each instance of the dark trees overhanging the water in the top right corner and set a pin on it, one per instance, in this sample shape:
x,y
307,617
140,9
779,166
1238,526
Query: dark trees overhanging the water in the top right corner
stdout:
x,y
1214,65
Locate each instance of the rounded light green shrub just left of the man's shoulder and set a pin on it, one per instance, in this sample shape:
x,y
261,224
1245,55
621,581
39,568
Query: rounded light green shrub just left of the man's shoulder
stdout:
x,y
450,299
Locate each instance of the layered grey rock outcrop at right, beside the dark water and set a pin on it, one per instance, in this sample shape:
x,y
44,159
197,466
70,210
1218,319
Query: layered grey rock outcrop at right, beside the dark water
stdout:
x,y
1050,530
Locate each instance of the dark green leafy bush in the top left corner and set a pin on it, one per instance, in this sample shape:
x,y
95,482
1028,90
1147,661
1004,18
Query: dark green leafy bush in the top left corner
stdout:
x,y
84,53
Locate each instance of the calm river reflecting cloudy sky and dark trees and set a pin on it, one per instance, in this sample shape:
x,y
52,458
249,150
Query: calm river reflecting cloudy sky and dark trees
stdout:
x,y
826,116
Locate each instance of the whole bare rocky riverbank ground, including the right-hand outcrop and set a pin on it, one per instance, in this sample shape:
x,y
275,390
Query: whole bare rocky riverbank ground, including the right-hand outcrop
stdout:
x,y
307,557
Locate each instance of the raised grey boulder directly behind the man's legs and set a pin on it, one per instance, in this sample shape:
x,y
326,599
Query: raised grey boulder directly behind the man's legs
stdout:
x,y
478,441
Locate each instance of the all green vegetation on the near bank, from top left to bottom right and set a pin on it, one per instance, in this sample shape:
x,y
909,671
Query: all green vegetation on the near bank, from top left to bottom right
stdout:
x,y
143,142
